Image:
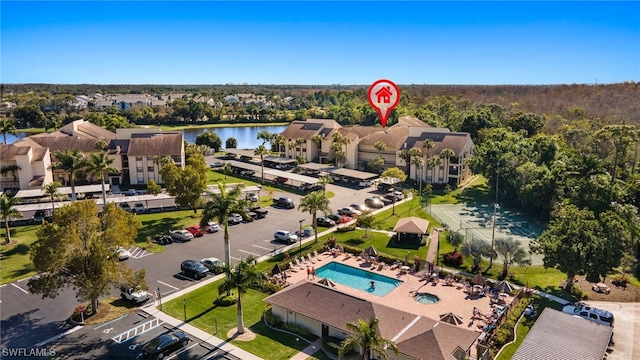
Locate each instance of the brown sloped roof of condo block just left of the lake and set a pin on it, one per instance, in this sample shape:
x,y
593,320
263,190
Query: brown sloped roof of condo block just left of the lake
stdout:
x,y
165,143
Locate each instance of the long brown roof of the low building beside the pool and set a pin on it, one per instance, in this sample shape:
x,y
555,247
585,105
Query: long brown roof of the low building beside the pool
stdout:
x,y
421,340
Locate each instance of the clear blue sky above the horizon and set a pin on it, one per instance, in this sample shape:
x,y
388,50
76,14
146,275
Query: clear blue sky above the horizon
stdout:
x,y
203,42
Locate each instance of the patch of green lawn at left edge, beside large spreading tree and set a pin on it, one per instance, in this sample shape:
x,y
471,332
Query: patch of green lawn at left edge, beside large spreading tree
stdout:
x,y
15,260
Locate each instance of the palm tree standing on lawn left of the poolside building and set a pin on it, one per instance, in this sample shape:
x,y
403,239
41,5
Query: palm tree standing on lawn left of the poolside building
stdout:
x,y
243,275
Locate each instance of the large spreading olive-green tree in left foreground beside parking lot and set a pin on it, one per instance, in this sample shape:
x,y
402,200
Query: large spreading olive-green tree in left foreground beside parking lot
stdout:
x,y
78,249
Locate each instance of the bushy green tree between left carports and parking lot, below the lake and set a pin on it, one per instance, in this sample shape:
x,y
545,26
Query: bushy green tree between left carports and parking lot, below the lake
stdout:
x,y
188,184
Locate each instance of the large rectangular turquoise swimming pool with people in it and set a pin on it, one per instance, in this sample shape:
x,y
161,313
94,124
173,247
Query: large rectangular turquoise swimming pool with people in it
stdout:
x,y
357,278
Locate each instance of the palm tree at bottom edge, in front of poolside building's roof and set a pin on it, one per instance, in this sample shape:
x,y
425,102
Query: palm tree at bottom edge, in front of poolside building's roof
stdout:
x,y
365,336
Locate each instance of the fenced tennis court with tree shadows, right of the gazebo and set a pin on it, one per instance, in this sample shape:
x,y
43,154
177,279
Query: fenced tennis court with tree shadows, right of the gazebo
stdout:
x,y
476,221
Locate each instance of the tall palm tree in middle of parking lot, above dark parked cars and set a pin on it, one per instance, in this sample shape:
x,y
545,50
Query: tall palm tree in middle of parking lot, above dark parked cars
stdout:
x,y
220,206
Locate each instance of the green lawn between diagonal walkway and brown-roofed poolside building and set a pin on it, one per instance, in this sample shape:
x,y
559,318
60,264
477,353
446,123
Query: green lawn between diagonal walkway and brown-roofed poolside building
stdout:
x,y
268,344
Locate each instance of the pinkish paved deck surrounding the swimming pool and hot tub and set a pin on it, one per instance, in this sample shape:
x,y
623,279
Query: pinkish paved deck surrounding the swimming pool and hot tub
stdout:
x,y
452,299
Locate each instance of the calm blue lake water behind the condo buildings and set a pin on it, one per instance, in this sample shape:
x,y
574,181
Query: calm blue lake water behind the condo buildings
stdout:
x,y
246,136
